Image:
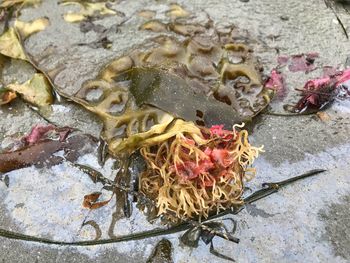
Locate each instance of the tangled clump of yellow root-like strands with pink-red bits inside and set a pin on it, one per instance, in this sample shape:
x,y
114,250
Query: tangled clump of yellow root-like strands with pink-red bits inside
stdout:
x,y
211,190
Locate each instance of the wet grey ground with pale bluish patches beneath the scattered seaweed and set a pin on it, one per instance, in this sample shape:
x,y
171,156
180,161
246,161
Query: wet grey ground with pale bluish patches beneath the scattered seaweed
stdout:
x,y
305,222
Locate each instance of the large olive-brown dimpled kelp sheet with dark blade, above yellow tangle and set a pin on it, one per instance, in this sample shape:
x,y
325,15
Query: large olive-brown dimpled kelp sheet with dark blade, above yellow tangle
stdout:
x,y
200,74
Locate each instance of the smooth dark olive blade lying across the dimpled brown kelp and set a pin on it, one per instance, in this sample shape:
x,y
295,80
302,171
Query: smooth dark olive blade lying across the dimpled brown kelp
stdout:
x,y
172,94
